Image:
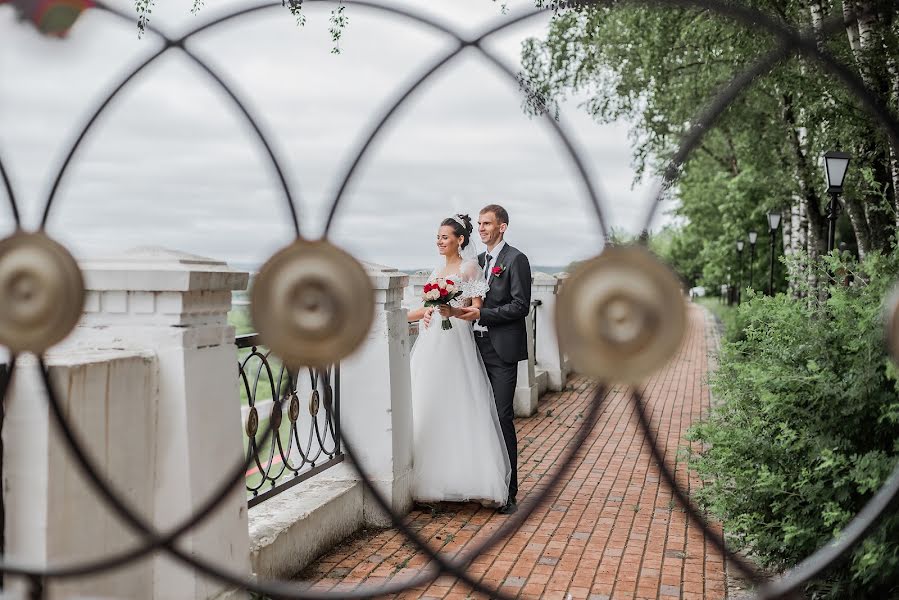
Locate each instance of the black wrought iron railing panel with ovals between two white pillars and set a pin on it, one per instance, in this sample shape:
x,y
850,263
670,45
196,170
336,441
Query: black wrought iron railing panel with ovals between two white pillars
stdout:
x,y
288,451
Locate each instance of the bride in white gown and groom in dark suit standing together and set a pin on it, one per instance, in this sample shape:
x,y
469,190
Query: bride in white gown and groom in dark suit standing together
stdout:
x,y
464,378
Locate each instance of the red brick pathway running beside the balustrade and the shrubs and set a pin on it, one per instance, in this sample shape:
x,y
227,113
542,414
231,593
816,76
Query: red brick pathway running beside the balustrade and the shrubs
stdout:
x,y
611,531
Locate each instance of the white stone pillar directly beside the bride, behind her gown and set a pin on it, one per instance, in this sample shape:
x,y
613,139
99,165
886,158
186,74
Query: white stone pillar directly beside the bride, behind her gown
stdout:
x,y
376,397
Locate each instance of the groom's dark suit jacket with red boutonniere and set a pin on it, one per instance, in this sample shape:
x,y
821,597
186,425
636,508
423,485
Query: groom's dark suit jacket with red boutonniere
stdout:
x,y
507,304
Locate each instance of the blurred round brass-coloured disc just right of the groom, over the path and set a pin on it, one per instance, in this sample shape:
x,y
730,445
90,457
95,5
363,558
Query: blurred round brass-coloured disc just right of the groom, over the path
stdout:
x,y
621,316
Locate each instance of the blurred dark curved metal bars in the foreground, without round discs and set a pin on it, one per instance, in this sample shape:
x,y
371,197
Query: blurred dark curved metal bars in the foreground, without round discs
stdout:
x,y
790,41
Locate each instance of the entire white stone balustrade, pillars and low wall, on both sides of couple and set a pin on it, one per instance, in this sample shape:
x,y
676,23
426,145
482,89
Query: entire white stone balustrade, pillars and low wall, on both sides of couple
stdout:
x,y
149,378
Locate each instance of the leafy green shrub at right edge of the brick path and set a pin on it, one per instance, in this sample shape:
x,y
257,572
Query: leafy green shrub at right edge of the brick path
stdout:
x,y
805,429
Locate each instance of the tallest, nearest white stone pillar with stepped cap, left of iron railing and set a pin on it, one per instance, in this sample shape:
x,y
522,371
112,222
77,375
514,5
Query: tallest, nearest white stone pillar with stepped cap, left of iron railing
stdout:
x,y
176,306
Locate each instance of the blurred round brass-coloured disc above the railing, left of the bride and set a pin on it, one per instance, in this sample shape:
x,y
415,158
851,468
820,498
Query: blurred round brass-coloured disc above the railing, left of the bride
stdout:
x,y
312,304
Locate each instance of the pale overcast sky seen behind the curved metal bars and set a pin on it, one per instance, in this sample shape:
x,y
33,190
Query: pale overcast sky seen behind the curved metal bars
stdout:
x,y
171,163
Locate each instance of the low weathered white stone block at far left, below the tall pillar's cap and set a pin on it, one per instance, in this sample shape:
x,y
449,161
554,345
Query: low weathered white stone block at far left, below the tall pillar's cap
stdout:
x,y
53,515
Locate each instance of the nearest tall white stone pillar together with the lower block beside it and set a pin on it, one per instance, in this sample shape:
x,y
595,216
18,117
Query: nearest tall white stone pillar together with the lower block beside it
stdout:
x,y
180,433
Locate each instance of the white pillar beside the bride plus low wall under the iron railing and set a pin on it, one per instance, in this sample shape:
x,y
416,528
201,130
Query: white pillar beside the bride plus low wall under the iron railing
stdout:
x,y
289,530
